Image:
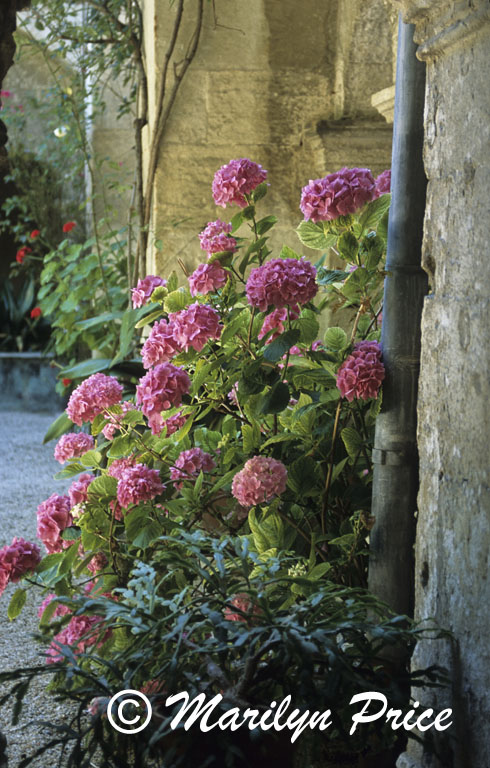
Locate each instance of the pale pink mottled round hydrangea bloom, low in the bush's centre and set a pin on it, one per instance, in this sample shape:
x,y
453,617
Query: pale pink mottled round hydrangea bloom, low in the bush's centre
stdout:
x,y
260,480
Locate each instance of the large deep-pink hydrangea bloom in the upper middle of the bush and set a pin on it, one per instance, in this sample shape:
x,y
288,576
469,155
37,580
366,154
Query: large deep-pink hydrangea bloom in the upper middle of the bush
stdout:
x,y
281,282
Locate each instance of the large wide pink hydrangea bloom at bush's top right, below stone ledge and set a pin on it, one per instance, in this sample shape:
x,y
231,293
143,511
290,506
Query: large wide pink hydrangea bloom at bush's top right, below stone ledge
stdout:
x,y
337,194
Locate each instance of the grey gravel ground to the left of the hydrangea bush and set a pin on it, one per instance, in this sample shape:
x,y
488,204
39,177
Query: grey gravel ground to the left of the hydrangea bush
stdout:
x,y
26,478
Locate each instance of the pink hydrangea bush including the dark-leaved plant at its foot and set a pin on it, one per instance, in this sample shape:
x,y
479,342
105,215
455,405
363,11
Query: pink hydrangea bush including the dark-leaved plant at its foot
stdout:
x,y
217,524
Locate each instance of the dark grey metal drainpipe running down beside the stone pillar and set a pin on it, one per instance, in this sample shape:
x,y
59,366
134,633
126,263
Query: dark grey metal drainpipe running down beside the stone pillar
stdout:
x,y
395,481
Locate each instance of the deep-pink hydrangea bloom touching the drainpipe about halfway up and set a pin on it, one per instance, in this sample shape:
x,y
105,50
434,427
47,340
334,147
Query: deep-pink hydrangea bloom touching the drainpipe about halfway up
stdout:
x,y
360,375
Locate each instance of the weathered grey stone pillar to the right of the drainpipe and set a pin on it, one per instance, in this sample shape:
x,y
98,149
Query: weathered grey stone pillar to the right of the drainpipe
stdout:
x,y
453,532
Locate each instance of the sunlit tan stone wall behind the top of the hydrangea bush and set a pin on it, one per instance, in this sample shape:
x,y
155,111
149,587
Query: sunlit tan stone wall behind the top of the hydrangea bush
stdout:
x,y
287,84
